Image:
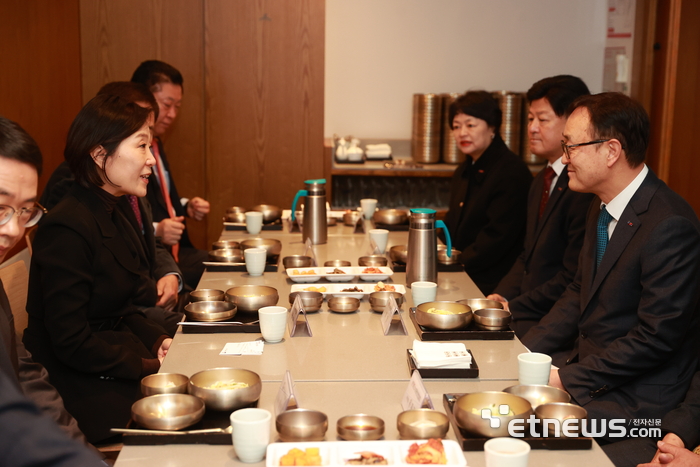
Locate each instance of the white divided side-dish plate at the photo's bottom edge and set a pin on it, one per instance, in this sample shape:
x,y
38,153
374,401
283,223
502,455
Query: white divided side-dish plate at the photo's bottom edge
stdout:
x,y
336,453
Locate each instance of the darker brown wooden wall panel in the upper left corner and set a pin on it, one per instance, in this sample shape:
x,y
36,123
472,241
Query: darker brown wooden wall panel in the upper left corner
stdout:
x,y
40,71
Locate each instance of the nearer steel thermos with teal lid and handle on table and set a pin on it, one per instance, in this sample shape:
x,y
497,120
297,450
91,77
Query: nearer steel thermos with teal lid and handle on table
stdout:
x,y
421,262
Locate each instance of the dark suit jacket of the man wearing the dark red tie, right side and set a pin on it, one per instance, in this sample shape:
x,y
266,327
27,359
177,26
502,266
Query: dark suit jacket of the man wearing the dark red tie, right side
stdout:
x,y
548,262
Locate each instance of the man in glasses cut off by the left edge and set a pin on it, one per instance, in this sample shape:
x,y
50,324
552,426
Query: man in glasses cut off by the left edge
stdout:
x,y
20,166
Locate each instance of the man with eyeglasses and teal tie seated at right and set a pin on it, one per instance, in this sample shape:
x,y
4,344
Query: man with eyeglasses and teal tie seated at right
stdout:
x,y
632,311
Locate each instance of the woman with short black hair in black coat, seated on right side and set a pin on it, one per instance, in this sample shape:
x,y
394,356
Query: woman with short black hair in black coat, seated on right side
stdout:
x,y
488,195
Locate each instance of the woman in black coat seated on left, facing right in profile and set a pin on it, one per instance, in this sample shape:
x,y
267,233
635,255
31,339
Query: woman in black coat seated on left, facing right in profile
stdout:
x,y
86,268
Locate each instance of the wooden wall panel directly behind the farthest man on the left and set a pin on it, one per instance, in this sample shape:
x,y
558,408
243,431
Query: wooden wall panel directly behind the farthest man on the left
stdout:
x,y
116,36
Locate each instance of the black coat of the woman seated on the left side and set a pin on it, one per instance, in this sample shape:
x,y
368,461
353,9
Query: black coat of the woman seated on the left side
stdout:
x,y
84,326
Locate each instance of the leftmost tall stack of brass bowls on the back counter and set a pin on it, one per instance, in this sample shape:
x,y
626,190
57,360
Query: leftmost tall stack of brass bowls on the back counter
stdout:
x,y
425,137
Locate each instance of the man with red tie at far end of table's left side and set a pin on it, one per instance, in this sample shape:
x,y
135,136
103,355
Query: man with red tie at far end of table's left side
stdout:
x,y
169,210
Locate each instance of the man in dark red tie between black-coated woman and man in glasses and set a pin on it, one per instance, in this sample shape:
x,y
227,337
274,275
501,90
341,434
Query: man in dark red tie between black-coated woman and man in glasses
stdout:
x,y
555,213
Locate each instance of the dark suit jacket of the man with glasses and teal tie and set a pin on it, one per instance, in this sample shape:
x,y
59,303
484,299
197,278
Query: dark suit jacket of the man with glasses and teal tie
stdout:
x,y
635,322
